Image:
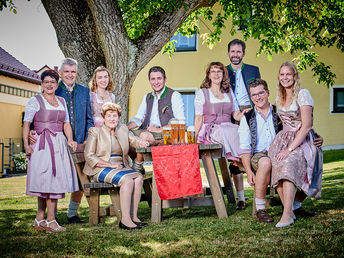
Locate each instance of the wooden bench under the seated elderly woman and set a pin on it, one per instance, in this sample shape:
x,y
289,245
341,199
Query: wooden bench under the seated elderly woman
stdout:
x,y
93,190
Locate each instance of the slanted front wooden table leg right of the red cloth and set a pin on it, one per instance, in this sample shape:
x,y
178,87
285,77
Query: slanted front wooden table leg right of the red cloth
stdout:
x,y
214,184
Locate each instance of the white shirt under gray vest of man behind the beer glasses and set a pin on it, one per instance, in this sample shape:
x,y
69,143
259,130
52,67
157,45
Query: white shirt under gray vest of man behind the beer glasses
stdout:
x,y
177,108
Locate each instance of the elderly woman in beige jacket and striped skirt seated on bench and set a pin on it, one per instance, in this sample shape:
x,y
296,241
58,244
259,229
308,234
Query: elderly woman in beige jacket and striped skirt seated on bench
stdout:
x,y
106,154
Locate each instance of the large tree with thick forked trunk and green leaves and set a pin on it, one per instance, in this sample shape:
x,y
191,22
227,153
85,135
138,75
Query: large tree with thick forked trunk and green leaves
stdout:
x,y
125,35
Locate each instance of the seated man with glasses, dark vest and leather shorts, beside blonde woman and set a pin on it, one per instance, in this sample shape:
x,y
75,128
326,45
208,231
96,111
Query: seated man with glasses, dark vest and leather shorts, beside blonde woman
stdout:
x,y
257,129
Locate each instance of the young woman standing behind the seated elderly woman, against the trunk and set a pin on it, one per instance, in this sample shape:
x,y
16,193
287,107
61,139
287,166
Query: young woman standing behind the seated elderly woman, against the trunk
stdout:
x,y
101,87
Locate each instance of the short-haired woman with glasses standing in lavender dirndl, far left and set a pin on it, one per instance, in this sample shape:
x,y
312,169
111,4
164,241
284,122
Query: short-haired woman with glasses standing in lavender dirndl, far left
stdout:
x,y
51,171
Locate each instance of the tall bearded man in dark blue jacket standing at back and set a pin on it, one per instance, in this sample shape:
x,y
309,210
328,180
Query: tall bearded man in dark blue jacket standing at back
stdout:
x,y
240,76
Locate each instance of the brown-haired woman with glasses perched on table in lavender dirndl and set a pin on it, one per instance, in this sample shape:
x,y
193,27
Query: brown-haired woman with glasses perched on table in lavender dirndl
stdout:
x,y
214,107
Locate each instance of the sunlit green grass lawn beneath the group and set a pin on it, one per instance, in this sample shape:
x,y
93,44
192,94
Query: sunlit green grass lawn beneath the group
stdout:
x,y
183,232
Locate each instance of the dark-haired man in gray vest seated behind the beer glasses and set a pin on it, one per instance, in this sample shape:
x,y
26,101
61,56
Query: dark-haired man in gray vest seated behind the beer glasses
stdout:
x,y
156,110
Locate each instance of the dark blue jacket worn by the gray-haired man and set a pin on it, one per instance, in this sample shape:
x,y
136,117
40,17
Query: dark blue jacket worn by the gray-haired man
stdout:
x,y
82,110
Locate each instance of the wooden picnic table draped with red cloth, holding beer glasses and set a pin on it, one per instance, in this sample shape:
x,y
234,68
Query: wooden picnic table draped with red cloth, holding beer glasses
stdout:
x,y
207,152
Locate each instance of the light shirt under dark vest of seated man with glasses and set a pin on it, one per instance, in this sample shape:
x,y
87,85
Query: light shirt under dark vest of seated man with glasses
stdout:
x,y
265,133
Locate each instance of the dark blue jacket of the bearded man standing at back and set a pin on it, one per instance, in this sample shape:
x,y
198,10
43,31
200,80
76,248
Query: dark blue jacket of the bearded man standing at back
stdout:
x,y
249,73
